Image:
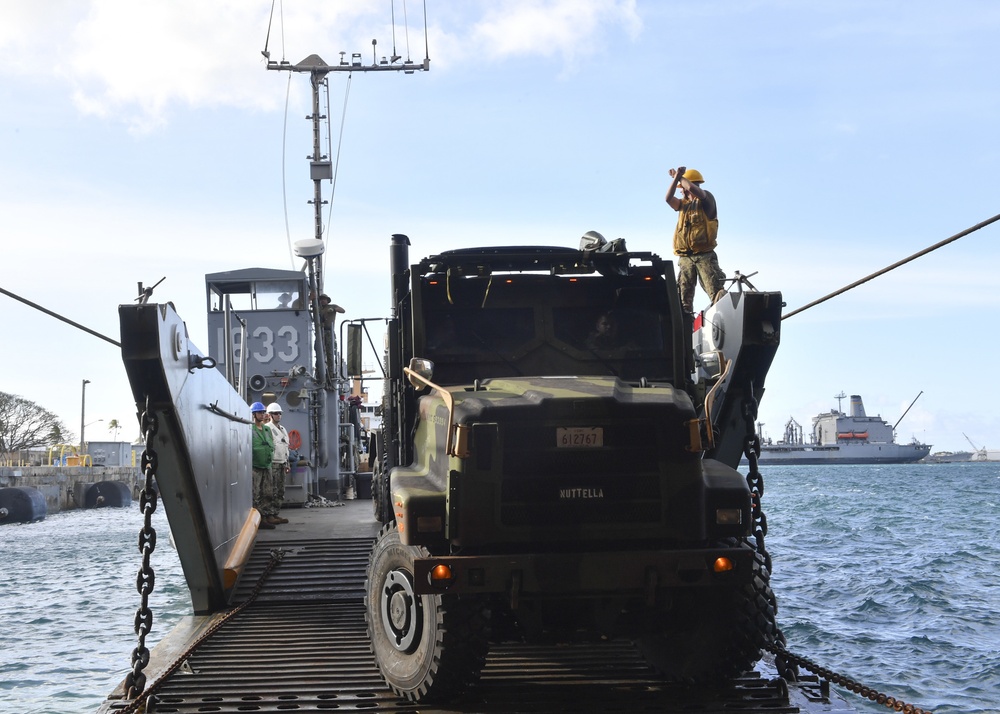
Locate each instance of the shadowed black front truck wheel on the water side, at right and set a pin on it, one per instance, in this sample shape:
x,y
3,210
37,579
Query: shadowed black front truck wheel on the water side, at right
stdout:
x,y
705,636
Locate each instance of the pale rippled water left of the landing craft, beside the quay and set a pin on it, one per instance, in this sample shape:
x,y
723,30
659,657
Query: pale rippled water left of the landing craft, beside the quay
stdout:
x,y
68,599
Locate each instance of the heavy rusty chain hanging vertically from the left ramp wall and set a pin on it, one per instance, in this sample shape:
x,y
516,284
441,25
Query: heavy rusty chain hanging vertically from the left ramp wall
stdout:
x,y
135,681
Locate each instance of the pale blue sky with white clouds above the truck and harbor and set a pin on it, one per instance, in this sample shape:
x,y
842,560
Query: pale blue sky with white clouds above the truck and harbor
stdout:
x,y
142,141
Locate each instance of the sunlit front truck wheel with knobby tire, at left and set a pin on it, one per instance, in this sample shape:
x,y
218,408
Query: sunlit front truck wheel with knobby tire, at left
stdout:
x,y
427,647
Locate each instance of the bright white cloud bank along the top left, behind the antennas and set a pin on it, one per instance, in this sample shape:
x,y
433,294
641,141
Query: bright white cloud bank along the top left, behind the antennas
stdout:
x,y
135,61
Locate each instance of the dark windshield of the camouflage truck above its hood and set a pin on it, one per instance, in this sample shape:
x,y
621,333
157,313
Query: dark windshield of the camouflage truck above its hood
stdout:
x,y
544,325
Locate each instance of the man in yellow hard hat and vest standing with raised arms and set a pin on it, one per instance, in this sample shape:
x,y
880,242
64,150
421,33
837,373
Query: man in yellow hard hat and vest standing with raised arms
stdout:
x,y
695,236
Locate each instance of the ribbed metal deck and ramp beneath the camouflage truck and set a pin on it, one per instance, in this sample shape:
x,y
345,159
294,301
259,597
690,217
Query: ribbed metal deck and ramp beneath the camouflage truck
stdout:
x,y
301,646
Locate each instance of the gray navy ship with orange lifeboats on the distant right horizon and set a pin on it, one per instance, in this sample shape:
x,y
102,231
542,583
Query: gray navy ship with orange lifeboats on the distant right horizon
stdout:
x,y
839,438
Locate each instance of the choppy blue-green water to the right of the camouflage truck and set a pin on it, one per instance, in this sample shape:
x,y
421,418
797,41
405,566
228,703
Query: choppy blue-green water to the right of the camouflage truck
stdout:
x,y
889,575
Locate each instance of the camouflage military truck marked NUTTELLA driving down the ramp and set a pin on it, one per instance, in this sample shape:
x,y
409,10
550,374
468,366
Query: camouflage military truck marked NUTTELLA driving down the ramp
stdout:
x,y
544,470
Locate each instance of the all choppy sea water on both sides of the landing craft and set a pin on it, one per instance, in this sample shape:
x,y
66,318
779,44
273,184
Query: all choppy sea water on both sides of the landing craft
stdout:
x,y
886,574
